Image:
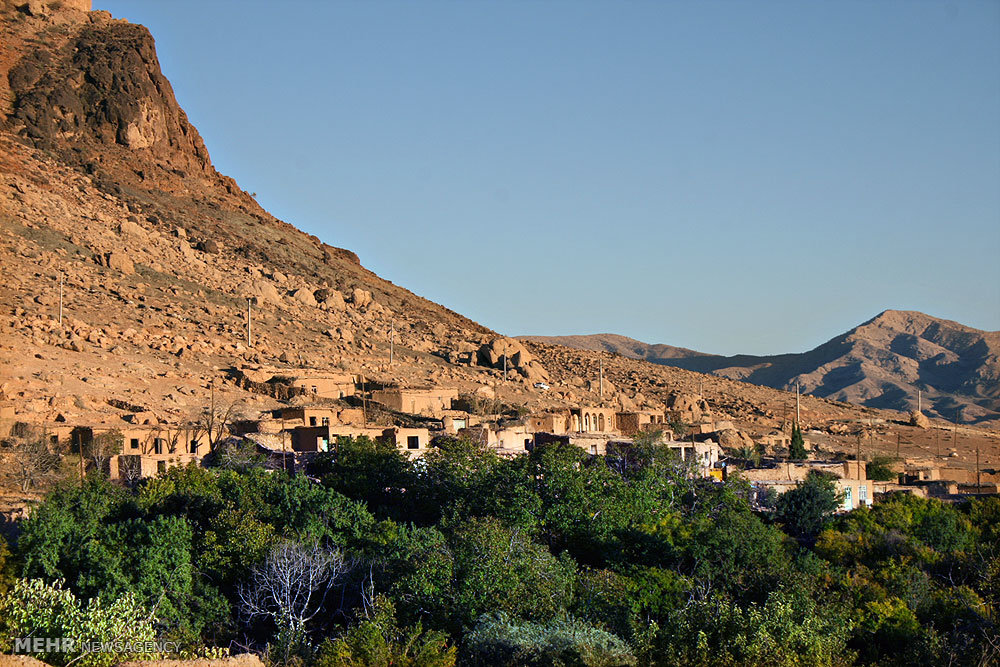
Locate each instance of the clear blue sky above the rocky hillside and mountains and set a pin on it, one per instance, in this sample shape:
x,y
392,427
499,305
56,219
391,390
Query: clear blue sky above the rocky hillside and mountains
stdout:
x,y
725,176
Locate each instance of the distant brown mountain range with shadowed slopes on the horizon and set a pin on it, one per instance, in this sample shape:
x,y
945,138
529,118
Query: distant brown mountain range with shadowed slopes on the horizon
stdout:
x,y
881,364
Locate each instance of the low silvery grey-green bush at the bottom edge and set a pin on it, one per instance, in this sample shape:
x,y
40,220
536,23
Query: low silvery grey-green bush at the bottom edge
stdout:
x,y
499,640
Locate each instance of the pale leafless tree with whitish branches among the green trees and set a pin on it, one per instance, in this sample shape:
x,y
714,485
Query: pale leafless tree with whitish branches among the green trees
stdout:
x,y
290,588
